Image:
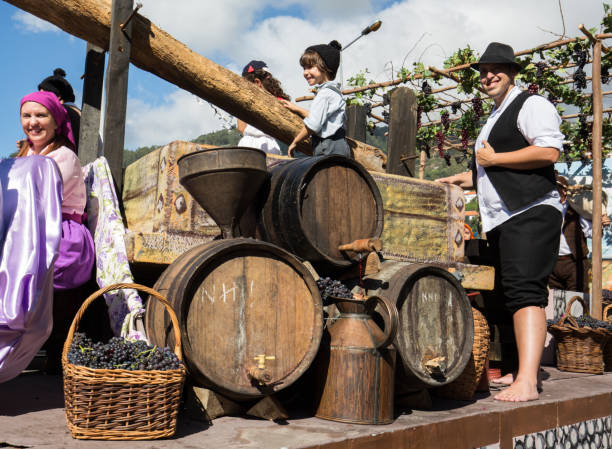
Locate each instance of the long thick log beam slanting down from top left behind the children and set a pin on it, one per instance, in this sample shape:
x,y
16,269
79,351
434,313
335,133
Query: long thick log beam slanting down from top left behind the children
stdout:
x,y
157,52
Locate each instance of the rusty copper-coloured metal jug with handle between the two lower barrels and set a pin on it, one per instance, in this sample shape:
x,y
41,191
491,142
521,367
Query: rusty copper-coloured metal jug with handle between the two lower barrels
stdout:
x,y
356,366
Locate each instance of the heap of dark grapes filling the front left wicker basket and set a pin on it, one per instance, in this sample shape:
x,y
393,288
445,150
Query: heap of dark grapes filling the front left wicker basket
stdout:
x,y
120,354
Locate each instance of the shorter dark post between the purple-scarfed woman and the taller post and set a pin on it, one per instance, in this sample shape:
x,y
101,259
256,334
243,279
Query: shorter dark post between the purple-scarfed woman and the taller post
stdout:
x,y
92,103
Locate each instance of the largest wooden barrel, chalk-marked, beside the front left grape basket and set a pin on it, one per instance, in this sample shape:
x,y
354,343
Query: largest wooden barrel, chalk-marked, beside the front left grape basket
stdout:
x,y
250,316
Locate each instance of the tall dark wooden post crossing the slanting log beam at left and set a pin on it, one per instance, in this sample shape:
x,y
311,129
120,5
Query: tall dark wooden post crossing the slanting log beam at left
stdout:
x,y
116,87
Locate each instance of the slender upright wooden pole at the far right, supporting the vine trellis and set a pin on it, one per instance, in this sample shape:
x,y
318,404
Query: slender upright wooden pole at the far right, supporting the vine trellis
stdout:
x,y
596,303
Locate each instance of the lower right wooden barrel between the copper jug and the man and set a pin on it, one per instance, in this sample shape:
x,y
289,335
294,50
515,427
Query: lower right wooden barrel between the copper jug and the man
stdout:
x,y
436,328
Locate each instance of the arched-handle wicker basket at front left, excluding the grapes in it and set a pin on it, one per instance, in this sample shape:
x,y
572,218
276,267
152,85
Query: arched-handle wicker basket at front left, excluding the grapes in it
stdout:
x,y
118,404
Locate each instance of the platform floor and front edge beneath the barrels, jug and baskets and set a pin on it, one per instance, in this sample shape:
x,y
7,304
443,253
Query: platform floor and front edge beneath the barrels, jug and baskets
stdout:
x,y
31,415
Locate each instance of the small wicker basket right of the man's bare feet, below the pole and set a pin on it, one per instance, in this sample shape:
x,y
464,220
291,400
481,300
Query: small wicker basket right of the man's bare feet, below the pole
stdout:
x,y
579,349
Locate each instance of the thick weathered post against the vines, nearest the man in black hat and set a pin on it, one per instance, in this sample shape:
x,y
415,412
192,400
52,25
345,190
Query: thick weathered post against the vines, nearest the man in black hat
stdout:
x,y
402,132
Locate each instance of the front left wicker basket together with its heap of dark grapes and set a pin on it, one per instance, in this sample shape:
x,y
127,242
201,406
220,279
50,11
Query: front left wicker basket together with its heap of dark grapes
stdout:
x,y
121,390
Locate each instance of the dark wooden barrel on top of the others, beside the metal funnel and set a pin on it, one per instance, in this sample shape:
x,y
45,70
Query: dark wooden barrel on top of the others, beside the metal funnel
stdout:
x,y
316,204
